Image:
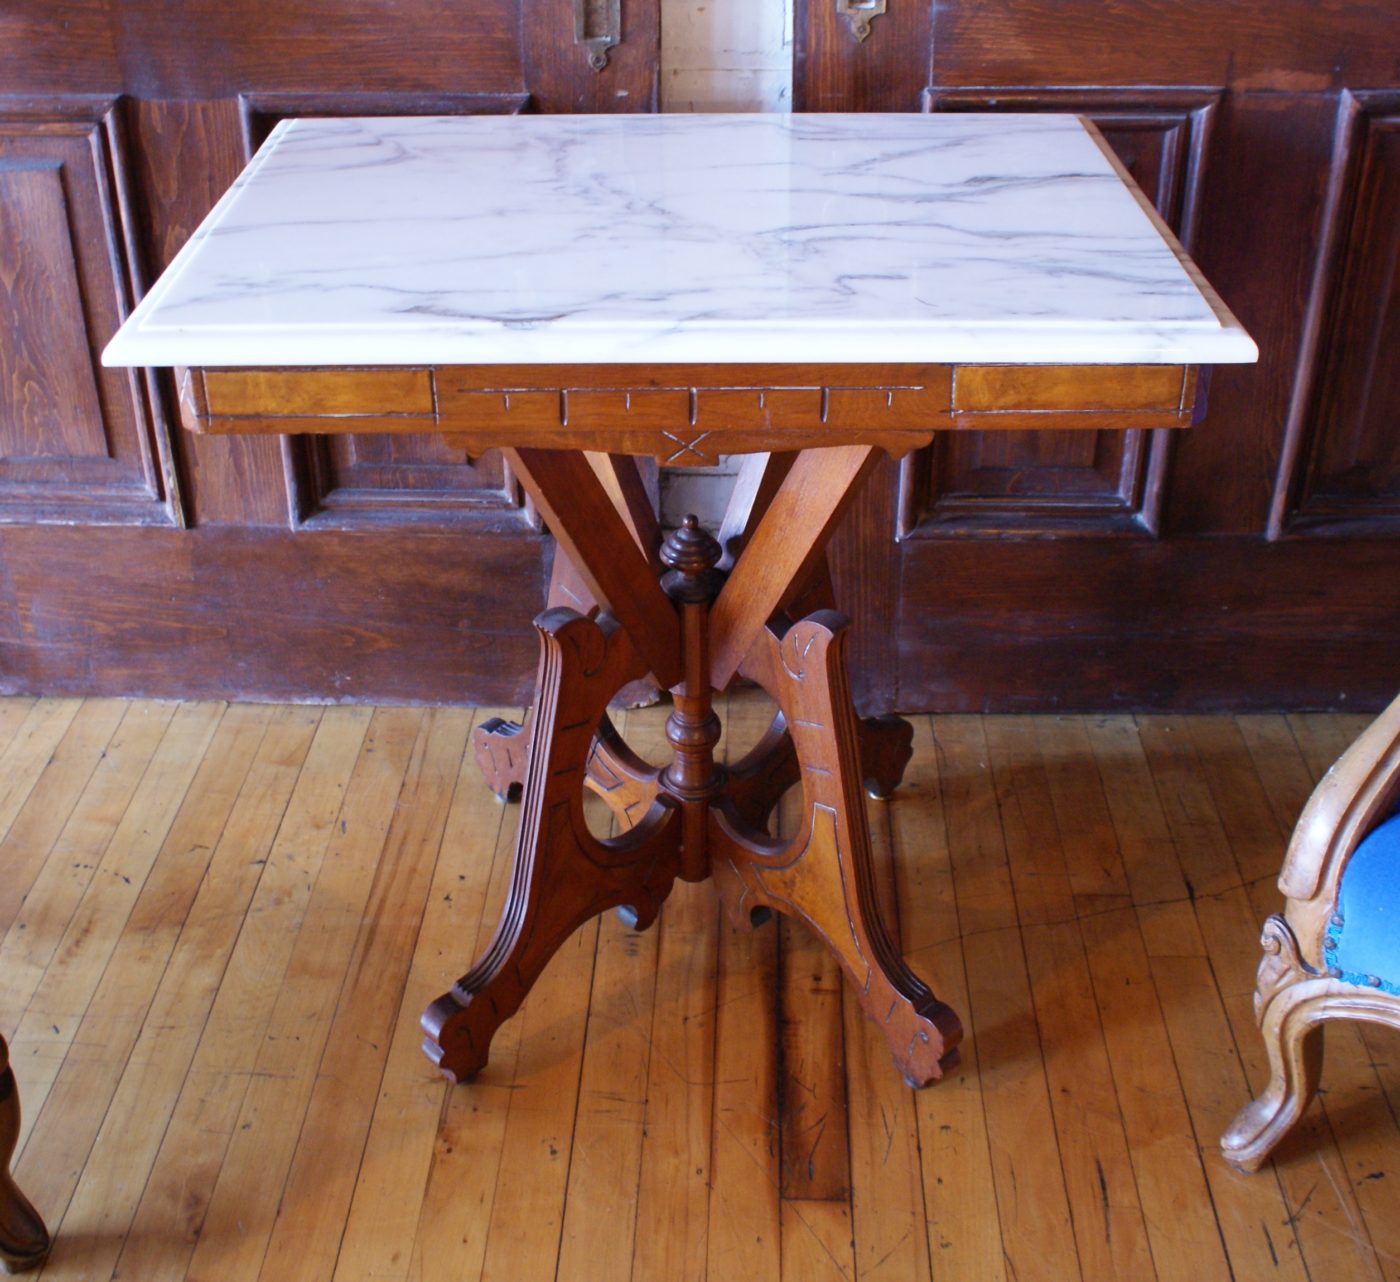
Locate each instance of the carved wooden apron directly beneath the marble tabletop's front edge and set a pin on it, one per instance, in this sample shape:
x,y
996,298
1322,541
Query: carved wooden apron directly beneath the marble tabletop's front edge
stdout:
x,y
706,412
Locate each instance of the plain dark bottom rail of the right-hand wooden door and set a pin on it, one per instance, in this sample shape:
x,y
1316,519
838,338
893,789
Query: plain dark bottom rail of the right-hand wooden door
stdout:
x,y
1206,624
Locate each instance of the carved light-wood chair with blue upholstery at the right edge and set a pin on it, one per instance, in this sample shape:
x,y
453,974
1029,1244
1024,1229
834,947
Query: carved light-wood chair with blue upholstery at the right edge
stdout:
x,y
1335,952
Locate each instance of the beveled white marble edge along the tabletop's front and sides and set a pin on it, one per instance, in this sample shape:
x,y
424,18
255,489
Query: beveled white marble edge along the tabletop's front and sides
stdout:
x,y
593,339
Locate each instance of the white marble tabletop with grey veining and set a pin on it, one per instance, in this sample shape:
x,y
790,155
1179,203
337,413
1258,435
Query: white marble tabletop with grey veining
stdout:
x,y
678,239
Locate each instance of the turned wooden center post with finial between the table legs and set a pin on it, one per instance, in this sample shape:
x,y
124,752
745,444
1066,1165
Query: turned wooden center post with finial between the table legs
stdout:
x,y
691,555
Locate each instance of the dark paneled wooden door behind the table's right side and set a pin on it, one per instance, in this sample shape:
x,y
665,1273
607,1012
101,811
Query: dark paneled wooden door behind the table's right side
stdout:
x,y
1254,561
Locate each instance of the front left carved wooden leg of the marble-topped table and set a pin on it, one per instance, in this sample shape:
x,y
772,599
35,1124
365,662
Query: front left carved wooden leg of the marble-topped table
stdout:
x,y
563,875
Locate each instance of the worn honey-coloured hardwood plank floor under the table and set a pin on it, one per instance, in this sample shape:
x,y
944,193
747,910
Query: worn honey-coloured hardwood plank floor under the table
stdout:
x,y
219,927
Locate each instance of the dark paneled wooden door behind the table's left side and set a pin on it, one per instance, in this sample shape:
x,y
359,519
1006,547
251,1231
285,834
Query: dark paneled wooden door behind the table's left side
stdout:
x,y
138,559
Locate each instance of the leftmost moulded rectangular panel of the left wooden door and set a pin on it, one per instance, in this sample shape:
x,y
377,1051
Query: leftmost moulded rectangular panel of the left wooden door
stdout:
x,y
78,443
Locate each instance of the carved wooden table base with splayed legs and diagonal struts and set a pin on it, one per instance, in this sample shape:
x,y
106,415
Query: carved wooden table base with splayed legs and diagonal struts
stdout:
x,y
694,818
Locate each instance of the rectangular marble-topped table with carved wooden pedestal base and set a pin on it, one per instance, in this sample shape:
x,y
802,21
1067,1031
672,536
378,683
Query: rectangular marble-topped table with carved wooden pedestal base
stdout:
x,y
580,292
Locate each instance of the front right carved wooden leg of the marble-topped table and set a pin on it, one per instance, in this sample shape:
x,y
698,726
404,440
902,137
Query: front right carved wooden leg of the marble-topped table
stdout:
x,y
825,877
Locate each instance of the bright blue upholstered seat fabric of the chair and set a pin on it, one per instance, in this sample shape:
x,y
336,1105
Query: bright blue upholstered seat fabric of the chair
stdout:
x,y
1364,936
